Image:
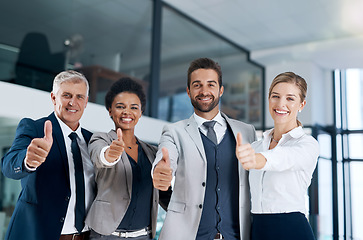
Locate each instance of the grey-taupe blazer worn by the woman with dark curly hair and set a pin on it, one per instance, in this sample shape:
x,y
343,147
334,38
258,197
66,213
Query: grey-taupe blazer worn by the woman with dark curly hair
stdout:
x,y
114,184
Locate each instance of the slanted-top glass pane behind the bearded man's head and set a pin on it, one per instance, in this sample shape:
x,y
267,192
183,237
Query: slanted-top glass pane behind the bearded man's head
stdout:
x,y
242,80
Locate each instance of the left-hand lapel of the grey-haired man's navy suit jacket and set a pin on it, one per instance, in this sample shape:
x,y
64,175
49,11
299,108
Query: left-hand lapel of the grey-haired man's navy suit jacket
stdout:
x,y
58,142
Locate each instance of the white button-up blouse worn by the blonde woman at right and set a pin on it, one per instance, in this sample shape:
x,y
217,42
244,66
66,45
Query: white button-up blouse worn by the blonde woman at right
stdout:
x,y
281,186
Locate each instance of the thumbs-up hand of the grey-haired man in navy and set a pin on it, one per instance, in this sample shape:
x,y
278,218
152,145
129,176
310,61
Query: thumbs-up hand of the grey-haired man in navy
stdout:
x,y
39,148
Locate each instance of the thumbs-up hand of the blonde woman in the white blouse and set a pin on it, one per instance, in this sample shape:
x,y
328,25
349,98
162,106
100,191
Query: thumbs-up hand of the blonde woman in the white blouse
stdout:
x,y
245,154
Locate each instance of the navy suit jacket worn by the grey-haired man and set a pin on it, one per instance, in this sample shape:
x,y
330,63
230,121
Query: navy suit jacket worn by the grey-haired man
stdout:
x,y
42,205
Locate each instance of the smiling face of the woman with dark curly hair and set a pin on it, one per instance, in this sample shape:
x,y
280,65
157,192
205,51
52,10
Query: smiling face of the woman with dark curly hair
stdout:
x,y
125,110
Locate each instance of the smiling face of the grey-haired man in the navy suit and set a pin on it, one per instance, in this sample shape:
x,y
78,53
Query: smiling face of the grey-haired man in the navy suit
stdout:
x,y
69,102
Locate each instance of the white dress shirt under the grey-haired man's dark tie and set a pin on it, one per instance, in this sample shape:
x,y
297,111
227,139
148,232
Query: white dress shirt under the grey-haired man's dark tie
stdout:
x,y
89,181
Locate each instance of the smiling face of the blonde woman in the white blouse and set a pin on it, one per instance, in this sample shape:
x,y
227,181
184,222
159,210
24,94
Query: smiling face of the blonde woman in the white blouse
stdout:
x,y
284,104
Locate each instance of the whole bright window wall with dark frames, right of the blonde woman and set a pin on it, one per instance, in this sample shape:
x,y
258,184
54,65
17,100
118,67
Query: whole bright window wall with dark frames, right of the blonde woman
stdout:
x,y
341,161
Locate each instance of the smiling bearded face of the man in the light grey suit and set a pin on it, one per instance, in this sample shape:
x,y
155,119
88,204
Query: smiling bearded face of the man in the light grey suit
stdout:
x,y
204,92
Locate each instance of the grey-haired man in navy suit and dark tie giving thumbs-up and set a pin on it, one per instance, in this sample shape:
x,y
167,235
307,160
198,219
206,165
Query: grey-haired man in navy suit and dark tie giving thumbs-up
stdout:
x,y
50,157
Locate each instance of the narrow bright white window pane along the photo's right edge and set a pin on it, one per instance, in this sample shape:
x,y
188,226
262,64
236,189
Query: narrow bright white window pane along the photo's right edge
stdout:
x,y
353,80
